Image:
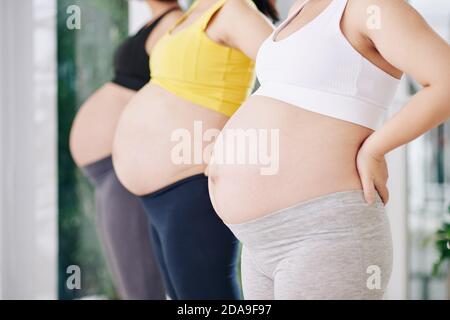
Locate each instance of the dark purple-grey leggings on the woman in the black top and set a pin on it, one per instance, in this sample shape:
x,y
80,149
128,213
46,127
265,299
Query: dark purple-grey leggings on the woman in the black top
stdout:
x,y
124,232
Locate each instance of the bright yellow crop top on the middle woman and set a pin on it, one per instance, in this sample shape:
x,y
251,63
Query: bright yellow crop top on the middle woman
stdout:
x,y
192,66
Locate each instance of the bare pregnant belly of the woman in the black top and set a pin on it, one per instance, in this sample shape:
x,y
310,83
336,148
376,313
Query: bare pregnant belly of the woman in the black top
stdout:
x,y
92,133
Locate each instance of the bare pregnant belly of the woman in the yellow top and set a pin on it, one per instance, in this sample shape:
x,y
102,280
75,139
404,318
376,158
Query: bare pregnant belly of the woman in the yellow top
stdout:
x,y
159,140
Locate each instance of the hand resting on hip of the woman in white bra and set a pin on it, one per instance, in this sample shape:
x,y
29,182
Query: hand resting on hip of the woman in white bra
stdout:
x,y
373,173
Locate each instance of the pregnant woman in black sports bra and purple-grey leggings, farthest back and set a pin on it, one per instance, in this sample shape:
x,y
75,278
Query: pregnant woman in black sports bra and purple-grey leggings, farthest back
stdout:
x,y
121,221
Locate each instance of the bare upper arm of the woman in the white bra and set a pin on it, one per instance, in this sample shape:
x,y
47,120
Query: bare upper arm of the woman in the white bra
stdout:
x,y
406,41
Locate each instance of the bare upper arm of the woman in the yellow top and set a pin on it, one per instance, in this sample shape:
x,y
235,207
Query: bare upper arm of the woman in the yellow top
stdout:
x,y
245,28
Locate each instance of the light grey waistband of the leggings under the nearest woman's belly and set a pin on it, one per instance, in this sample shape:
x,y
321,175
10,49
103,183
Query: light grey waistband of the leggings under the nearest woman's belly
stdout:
x,y
332,214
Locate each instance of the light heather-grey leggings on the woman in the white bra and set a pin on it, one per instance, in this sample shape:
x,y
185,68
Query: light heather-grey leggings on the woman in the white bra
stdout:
x,y
332,247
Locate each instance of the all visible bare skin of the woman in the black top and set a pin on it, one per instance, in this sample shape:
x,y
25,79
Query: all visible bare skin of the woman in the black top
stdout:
x,y
93,129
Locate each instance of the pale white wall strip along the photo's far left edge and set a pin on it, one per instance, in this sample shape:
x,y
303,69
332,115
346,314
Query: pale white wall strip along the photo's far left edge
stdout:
x,y
28,202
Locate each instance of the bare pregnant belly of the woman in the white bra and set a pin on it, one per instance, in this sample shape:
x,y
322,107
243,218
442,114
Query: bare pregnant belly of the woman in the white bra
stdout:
x,y
306,155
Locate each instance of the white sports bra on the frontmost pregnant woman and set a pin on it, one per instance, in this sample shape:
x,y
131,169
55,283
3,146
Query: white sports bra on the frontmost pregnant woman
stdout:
x,y
317,69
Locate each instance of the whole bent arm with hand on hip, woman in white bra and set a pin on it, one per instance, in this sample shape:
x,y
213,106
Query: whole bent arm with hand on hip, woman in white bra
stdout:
x,y
405,40
